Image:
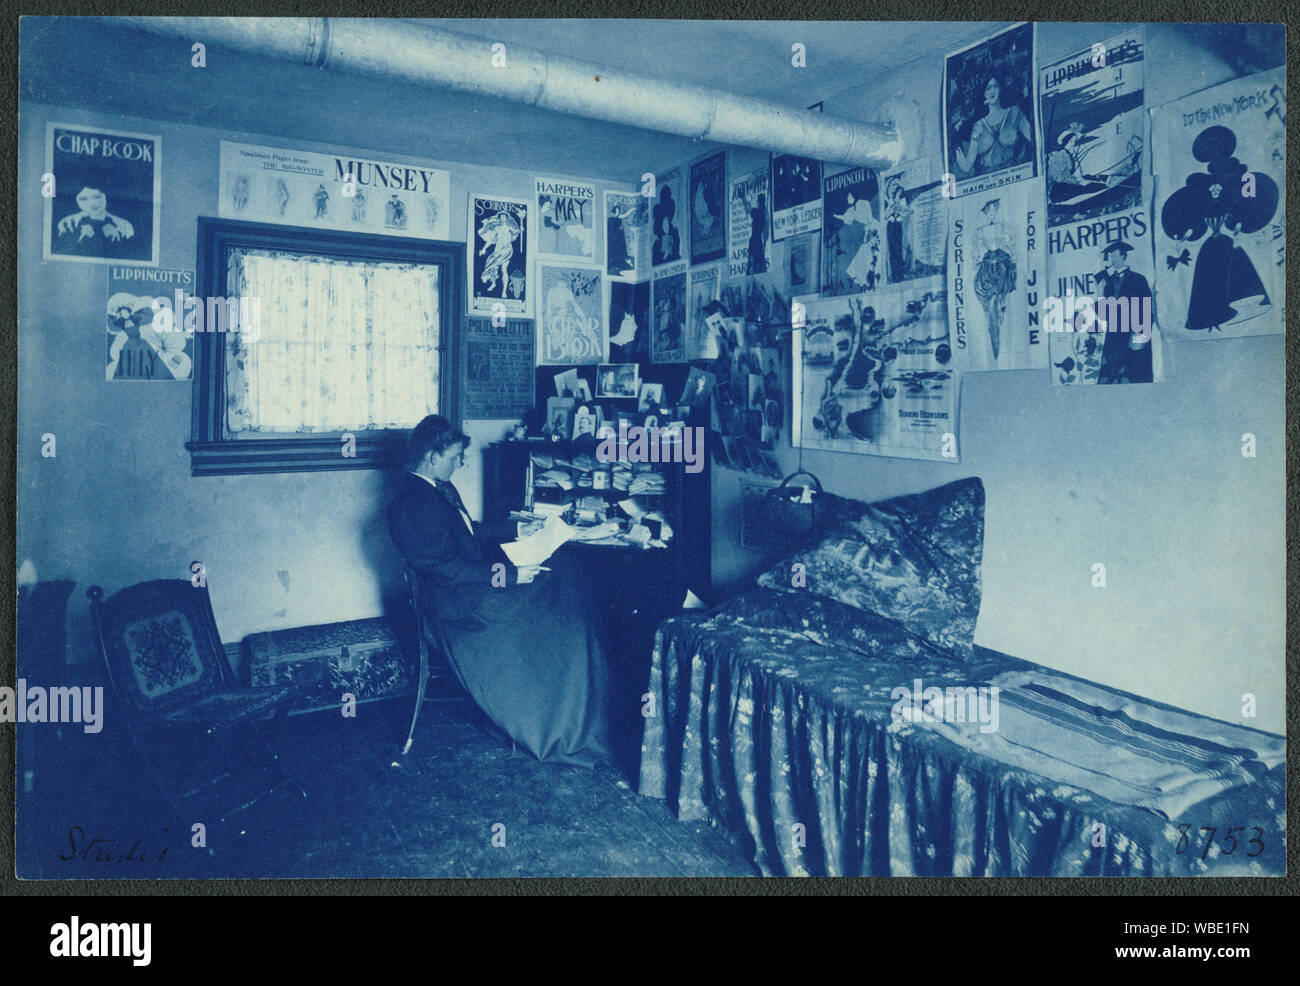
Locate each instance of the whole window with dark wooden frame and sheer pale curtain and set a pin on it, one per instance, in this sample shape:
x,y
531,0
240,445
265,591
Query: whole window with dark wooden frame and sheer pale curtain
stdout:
x,y
317,336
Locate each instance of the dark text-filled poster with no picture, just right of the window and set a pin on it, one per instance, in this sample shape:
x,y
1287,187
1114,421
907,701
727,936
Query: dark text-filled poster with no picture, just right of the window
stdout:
x,y
499,361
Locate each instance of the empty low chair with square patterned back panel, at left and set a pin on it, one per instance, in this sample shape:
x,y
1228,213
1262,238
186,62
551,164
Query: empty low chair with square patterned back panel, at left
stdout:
x,y
196,728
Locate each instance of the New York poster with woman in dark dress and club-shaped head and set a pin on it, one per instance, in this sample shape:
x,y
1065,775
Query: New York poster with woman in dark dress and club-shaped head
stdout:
x,y
1220,162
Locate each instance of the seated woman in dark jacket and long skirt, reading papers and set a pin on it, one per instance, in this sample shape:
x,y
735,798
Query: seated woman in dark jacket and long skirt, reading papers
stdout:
x,y
527,645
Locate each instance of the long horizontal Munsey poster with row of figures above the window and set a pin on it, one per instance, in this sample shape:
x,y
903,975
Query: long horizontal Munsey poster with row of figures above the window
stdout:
x,y
319,191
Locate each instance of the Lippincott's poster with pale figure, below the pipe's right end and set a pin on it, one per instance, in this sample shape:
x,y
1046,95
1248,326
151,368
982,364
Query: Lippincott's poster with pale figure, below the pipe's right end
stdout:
x,y
852,260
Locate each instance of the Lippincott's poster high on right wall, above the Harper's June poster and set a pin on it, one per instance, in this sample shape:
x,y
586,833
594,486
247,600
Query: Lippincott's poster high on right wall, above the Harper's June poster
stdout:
x,y
1094,129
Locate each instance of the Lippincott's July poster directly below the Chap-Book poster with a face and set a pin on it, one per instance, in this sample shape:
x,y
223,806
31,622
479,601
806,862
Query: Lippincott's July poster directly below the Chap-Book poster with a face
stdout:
x,y
148,338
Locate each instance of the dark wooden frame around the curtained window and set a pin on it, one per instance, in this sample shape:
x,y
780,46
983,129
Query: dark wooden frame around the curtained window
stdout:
x,y
214,452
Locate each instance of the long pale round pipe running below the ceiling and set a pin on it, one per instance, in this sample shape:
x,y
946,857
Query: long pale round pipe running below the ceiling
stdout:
x,y
426,55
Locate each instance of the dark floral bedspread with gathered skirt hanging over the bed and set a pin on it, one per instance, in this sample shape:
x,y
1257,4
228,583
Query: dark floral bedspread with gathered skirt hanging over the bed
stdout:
x,y
773,719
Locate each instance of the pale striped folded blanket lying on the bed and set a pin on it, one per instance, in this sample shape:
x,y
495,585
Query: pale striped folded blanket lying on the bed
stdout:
x,y
1123,749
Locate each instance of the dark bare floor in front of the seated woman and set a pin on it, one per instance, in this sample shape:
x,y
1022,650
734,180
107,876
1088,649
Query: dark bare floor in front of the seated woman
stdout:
x,y
372,814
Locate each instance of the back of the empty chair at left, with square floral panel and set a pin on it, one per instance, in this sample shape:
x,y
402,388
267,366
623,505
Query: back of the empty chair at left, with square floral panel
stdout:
x,y
161,643
